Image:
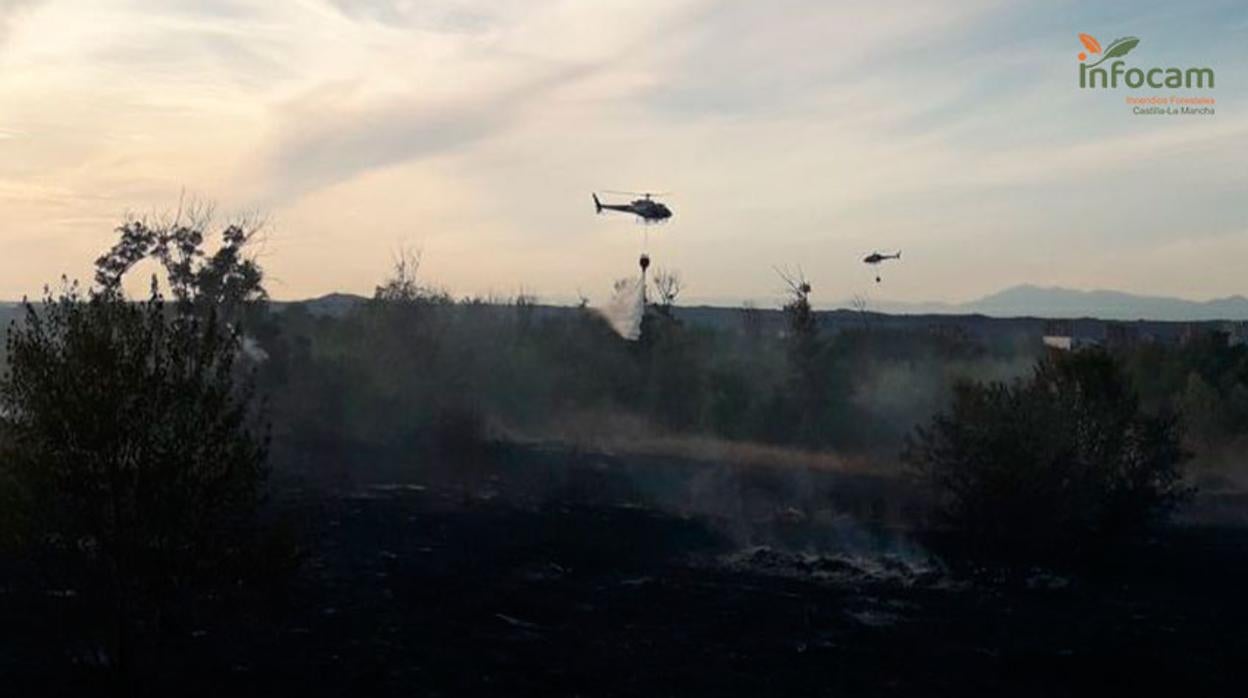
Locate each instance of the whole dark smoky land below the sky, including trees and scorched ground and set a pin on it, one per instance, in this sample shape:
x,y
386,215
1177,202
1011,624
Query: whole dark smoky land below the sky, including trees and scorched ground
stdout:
x,y
429,496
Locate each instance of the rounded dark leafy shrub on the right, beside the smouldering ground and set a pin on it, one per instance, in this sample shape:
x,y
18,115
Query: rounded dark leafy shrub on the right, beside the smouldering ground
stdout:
x,y
1058,463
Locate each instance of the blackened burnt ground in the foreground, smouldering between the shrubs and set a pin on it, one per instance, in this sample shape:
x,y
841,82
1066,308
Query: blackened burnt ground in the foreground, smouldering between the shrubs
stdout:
x,y
555,574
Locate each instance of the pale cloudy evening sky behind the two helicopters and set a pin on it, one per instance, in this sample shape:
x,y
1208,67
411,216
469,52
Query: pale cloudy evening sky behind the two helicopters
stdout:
x,y
791,134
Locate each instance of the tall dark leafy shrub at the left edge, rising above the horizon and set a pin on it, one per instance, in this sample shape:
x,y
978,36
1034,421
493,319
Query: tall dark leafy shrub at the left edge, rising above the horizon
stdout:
x,y
133,455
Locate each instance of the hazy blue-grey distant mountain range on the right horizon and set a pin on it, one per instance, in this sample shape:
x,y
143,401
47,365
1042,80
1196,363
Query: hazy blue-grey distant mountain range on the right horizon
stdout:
x,y
1036,302
